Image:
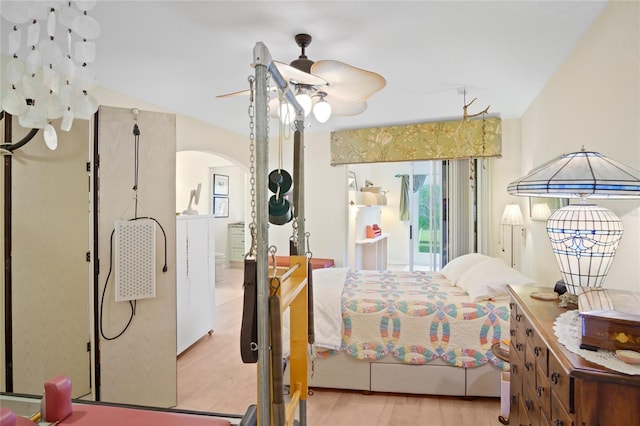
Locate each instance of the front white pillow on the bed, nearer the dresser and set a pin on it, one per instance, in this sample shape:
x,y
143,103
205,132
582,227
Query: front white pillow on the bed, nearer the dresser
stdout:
x,y
489,279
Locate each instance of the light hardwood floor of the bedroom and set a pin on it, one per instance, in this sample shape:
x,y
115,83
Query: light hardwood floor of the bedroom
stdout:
x,y
212,377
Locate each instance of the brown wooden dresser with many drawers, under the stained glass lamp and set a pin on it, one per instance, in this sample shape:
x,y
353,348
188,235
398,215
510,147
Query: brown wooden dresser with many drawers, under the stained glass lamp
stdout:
x,y
553,386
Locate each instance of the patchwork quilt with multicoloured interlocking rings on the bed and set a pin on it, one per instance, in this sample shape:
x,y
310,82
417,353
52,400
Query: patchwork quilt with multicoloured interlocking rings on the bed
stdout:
x,y
417,317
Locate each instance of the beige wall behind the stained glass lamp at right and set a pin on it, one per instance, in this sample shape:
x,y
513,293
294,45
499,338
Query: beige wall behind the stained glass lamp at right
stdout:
x,y
593,99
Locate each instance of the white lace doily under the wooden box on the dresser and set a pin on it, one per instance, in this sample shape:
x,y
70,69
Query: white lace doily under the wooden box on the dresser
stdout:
x,y
568,330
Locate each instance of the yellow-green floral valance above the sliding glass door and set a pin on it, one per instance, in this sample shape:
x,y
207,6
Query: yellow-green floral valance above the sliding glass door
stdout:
x,y
442,140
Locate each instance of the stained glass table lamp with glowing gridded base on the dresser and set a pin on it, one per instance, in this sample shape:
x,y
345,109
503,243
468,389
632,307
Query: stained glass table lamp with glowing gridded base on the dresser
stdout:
x,y
584,237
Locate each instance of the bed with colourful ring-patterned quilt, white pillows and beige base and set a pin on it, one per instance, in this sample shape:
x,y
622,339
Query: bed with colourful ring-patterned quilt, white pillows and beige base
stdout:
x,y
421,332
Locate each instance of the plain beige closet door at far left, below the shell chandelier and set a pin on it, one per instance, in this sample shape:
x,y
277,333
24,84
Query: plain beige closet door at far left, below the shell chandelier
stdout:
x,y
50,273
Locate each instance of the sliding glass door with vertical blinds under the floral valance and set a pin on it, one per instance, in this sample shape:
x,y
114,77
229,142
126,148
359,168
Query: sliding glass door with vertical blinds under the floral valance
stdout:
x,y
431,210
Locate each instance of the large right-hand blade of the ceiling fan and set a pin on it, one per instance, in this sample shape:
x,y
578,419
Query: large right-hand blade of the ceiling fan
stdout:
x,y
348,82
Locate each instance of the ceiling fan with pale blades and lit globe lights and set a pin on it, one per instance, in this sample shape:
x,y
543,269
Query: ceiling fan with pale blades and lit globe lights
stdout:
x,y
326,87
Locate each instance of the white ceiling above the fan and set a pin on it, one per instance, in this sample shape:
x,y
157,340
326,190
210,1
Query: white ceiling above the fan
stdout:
x,y
180,54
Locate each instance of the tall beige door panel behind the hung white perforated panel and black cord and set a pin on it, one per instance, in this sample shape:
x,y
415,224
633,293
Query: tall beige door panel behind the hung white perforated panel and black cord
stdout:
x,y
138,366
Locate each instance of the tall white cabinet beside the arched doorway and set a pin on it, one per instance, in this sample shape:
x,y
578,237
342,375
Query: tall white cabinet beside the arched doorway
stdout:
x,y
195,283
